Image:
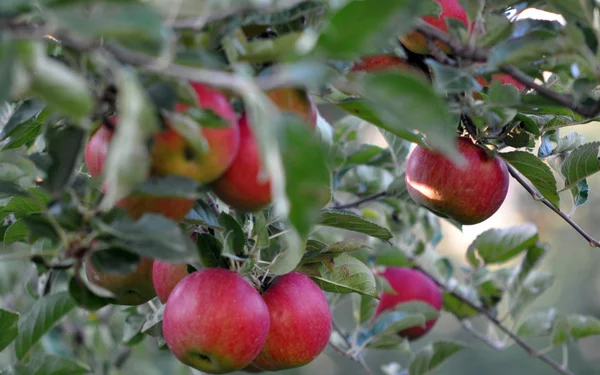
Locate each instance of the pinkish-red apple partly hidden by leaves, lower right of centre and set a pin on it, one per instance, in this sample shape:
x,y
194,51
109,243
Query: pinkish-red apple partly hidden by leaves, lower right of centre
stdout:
x,y
410,285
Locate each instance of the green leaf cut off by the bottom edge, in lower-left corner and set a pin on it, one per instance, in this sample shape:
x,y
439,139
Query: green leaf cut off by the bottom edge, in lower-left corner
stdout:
x,y
46,364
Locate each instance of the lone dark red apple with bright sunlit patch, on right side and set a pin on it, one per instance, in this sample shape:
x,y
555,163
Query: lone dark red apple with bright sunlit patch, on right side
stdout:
x,y
469,195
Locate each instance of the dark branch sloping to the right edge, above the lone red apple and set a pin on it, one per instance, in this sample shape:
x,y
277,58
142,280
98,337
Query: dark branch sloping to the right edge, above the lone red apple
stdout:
x,y
477,54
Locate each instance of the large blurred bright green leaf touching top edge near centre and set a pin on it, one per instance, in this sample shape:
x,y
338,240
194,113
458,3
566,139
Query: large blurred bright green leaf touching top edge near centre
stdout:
x,y
342,39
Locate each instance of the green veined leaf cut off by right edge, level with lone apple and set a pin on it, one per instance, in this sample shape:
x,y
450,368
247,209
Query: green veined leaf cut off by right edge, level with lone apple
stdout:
x,y
580,164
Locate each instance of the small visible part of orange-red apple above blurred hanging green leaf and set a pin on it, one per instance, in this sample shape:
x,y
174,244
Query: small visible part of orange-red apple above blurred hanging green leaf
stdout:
x,y
297,101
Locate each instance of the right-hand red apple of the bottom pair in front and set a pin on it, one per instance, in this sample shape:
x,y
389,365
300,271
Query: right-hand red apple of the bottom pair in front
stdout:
x,y
300,323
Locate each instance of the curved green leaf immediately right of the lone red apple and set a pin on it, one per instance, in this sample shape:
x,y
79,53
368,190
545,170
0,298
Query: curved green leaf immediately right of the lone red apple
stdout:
x,y
538,173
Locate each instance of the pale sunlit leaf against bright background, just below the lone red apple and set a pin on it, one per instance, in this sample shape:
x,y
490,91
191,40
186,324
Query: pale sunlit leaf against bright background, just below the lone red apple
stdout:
x,y
501,245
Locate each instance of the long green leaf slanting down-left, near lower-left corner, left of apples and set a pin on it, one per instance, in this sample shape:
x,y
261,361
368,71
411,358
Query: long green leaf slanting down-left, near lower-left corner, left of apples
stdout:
x,y
43,315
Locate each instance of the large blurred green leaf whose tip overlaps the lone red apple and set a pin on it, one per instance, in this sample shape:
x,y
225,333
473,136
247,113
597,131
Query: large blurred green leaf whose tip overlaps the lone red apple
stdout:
x,y
401,97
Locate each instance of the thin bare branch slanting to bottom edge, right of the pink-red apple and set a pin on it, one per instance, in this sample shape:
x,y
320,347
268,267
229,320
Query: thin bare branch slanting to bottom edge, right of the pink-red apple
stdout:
x,y
528,348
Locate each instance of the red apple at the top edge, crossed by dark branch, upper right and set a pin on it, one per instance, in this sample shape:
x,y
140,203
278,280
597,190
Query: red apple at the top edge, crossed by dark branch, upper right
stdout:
x,y
417,42
